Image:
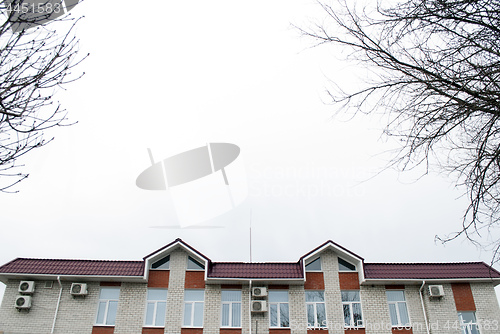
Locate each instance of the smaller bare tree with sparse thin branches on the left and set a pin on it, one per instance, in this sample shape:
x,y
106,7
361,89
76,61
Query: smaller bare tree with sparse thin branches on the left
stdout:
x,y
38,51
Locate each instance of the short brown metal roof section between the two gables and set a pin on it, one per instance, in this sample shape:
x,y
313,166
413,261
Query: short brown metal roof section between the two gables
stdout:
x,y
255,270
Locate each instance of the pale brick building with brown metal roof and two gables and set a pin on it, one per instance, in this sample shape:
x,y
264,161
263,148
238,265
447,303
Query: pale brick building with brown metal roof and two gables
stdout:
x,y
178,290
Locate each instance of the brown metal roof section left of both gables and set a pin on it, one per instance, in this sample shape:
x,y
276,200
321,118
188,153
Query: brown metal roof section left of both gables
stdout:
x,y
73,267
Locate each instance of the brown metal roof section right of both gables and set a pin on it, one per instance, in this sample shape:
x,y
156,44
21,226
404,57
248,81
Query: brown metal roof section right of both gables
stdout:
x,y
429,270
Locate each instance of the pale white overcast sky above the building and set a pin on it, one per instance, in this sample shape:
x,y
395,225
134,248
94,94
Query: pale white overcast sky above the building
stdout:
x,y
176,75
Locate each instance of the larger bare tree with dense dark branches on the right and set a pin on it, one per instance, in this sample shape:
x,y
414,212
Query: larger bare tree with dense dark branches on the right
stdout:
x,y
436,67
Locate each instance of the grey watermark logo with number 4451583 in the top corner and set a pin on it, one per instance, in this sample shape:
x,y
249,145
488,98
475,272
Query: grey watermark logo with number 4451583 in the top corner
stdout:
x,y
26,14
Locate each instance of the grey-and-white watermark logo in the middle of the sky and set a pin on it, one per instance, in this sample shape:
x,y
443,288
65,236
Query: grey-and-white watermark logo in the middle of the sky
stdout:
x,y
203,183
